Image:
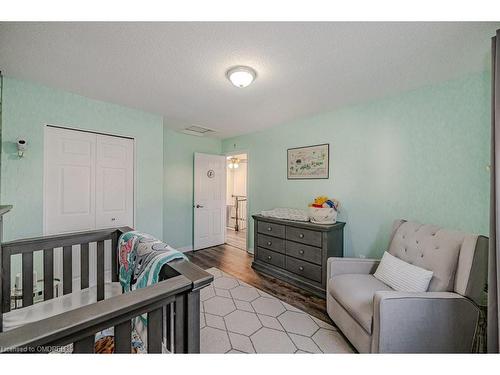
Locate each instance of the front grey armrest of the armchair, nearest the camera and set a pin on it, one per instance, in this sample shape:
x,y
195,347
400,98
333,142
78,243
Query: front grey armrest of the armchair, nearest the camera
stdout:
x,y
430,322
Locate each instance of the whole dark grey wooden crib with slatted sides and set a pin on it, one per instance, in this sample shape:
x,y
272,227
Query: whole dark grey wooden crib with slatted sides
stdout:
x,y
172,305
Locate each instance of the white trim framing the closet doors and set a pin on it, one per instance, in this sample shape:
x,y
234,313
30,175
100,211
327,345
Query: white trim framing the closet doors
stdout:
x,y
74,128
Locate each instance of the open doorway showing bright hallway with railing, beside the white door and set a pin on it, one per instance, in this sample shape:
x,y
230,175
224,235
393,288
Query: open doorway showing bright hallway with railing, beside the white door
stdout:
x,y
236,200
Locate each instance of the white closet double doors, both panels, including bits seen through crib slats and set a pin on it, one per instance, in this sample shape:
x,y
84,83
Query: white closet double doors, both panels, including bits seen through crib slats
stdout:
x,y
89,181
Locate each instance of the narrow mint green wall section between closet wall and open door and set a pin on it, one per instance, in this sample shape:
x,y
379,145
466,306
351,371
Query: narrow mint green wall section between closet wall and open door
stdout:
x,y
178,151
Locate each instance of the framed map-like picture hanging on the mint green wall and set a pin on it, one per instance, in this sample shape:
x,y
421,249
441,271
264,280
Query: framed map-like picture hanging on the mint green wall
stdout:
x,y
309,162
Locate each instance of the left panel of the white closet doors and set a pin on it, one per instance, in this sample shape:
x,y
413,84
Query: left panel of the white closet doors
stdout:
x,y
69,181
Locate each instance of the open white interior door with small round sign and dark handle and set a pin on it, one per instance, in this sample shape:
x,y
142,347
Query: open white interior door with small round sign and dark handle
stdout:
x,y
209,200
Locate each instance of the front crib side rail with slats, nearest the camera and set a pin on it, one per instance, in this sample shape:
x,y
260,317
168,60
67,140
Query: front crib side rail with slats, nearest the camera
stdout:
x,y
79,326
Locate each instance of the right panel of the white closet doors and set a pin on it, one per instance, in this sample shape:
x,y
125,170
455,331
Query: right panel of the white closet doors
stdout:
x,y
114,182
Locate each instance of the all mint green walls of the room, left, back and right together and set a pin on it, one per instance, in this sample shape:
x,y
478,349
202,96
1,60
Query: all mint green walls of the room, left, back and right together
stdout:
x,y
420,155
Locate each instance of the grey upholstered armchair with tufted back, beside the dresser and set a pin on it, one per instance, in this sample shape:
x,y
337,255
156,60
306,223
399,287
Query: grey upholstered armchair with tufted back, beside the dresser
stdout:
x,y
378,319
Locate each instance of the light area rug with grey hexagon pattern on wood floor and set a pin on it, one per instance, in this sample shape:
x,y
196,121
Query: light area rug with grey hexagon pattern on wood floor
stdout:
x,y
235,317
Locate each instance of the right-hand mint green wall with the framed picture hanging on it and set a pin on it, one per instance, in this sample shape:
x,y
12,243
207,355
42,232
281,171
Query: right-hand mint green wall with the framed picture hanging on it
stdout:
x,y
421,155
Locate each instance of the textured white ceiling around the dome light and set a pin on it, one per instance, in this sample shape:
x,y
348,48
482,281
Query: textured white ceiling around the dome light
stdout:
x,y
178,69
